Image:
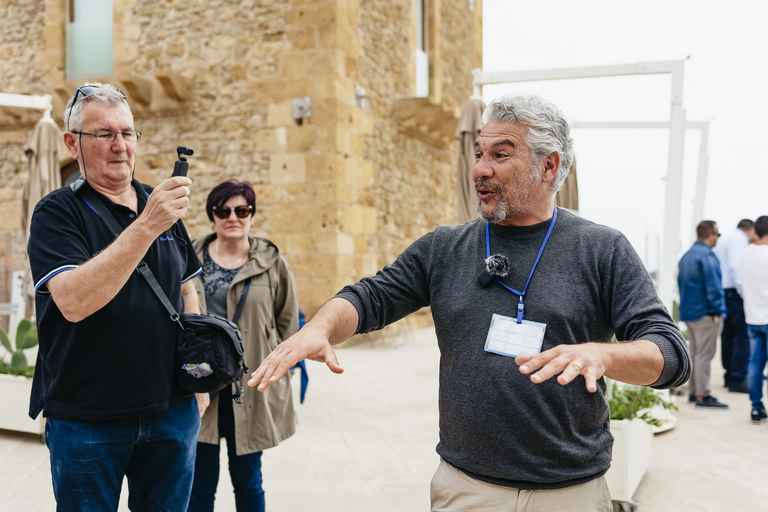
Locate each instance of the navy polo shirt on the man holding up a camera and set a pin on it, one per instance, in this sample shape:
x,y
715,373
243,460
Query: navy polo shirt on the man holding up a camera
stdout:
x,y
118,362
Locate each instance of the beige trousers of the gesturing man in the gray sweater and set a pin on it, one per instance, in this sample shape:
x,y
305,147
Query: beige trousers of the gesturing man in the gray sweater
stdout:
x,y
453,491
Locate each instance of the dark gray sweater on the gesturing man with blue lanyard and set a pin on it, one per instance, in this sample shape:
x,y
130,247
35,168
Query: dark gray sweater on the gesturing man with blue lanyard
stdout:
x,y
495,424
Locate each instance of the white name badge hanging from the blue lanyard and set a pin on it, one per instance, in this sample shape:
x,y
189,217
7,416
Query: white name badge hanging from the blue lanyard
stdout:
x,y
508,338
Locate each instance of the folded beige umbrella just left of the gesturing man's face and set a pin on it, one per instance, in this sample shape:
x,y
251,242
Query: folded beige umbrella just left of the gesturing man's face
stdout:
x,y
467,131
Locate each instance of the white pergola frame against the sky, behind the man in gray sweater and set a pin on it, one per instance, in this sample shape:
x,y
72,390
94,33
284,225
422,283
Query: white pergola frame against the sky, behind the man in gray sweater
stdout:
x,y
676,125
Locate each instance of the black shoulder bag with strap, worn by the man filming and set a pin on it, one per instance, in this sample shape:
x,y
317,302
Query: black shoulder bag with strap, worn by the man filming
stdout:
x,y
209,349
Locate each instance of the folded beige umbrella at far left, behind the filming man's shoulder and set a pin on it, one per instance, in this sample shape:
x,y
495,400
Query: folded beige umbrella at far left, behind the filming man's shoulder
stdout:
x,y
45,150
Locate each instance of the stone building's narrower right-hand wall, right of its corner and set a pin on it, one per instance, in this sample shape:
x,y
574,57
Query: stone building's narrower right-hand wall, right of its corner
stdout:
x,y
415,184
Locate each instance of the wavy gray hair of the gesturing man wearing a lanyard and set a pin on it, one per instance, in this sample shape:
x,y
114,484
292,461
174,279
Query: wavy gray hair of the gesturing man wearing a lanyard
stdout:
x,y
548,128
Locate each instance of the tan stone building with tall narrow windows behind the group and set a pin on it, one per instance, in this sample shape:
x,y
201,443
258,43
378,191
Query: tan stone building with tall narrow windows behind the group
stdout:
x,y
341,113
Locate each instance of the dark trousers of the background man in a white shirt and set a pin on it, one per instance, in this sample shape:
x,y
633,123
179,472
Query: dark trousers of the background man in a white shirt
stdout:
x,y
735,339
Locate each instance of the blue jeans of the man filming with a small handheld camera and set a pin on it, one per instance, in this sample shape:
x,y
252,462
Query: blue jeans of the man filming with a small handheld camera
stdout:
x,y
156,452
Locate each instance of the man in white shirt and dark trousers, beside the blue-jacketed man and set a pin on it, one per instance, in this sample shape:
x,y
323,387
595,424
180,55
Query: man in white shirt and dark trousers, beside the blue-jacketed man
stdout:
x,y
734,338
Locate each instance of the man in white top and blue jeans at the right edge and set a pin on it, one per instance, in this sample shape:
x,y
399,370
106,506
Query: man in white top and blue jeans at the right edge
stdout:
x,y
754,280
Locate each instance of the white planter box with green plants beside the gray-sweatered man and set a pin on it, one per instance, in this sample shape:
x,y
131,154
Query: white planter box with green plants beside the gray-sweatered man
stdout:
x,y
631,456
